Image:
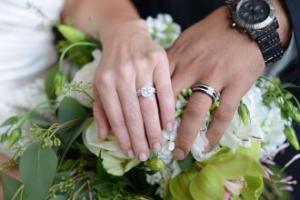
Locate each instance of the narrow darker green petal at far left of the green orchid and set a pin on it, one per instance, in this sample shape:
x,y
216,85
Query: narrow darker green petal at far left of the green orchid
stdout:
x,y
179,186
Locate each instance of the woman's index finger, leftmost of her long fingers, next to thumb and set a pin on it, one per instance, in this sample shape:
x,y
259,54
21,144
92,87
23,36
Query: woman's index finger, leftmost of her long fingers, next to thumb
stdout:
x,y
113,110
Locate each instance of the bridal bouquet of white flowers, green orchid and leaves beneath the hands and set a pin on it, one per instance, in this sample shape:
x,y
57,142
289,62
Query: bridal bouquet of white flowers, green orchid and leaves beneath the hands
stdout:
x,y
59,155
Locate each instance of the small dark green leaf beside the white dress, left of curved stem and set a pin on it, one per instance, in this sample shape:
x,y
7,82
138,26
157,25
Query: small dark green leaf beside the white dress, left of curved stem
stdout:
x,y
49,83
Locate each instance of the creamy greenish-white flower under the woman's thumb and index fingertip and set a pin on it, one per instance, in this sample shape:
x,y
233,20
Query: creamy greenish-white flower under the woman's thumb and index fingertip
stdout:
x,y
114,161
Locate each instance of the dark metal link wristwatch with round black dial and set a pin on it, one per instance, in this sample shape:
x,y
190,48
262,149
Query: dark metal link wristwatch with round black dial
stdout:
x,y
258,19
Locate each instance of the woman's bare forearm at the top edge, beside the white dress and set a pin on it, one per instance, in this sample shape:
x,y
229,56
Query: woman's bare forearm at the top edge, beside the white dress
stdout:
x,y
94,16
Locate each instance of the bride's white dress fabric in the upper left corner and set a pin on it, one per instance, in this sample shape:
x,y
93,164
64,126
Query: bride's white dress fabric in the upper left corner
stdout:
x,y
26,51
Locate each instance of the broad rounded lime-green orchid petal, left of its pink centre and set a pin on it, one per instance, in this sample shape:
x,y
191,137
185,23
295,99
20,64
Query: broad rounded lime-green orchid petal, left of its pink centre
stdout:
x,y
207,185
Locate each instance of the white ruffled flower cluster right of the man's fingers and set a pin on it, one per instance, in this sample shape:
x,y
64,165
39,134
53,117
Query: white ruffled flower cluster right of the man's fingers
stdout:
x,y
266,123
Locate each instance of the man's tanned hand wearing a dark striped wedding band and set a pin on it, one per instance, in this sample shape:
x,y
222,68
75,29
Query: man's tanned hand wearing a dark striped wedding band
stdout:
x,y
212,52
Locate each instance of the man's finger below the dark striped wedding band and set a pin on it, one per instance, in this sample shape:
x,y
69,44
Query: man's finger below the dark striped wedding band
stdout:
x,y
192,121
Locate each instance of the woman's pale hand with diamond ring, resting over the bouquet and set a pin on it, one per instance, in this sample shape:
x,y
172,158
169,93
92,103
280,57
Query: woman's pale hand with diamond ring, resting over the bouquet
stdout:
x,y
130,61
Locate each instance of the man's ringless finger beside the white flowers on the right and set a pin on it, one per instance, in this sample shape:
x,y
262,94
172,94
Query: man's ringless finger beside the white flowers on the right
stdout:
x,y
223,116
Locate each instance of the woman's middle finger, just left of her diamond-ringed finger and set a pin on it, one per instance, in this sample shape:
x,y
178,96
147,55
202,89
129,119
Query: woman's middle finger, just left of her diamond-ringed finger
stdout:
x,y
133,117
